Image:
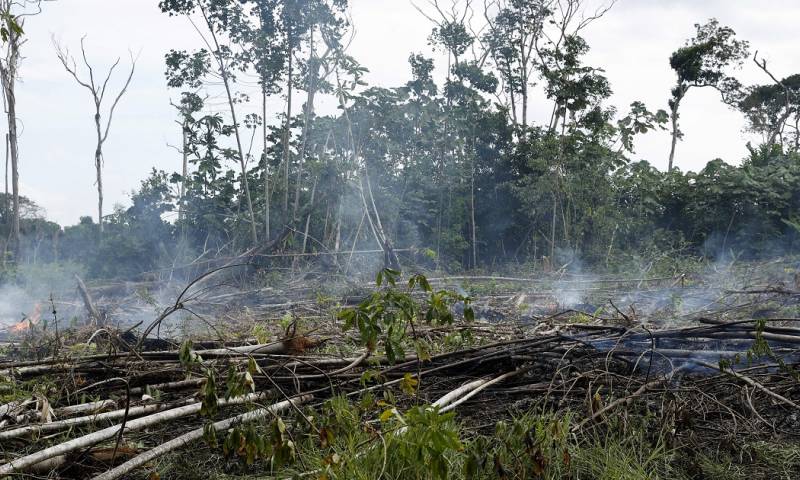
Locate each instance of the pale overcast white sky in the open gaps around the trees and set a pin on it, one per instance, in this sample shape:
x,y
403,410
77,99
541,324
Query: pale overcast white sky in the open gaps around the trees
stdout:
x,y
632,43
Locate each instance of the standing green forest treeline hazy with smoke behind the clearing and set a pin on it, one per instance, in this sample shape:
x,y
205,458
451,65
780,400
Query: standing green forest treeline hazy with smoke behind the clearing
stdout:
x,y
451,163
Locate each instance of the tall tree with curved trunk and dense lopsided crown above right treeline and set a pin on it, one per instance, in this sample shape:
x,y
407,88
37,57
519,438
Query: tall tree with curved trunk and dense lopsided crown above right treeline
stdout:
x,y
703,62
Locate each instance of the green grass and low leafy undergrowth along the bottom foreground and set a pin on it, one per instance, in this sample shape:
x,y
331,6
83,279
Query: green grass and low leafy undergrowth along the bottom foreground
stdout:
x,y
347,441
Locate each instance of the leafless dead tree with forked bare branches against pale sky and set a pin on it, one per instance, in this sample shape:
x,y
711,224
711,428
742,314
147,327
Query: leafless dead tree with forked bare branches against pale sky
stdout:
x,y
98,92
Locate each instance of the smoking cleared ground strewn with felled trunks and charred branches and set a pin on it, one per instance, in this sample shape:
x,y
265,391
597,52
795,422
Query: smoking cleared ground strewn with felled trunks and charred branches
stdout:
x,y
707,358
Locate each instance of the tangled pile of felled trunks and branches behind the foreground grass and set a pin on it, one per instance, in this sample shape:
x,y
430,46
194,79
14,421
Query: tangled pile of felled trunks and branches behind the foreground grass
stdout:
x,y
724,378
